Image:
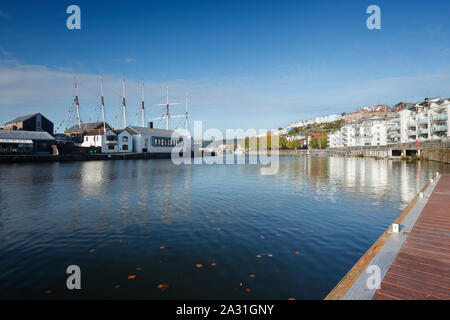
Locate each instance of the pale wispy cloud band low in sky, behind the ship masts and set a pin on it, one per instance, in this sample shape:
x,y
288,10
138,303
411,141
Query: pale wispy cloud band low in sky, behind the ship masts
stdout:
x,y
221,102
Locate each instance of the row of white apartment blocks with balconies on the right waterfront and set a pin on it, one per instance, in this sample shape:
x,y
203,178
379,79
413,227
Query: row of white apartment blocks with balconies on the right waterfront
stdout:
x,y
423,121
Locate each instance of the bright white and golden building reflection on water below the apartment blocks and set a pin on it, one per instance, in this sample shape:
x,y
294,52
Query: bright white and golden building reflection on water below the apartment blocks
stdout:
x,y
364,177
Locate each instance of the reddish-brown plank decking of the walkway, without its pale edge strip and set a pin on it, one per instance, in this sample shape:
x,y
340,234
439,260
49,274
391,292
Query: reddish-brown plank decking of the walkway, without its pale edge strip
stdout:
x,y
421,269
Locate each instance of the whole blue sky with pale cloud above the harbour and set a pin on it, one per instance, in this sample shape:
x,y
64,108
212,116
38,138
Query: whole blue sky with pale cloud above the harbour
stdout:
x,y
245,64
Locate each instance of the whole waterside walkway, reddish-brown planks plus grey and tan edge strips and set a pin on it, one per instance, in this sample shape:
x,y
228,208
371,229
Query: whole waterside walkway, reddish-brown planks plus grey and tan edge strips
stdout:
x,y
414,263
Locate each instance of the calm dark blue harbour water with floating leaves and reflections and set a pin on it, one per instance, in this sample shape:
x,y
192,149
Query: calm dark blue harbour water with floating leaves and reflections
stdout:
x,y
297,233
